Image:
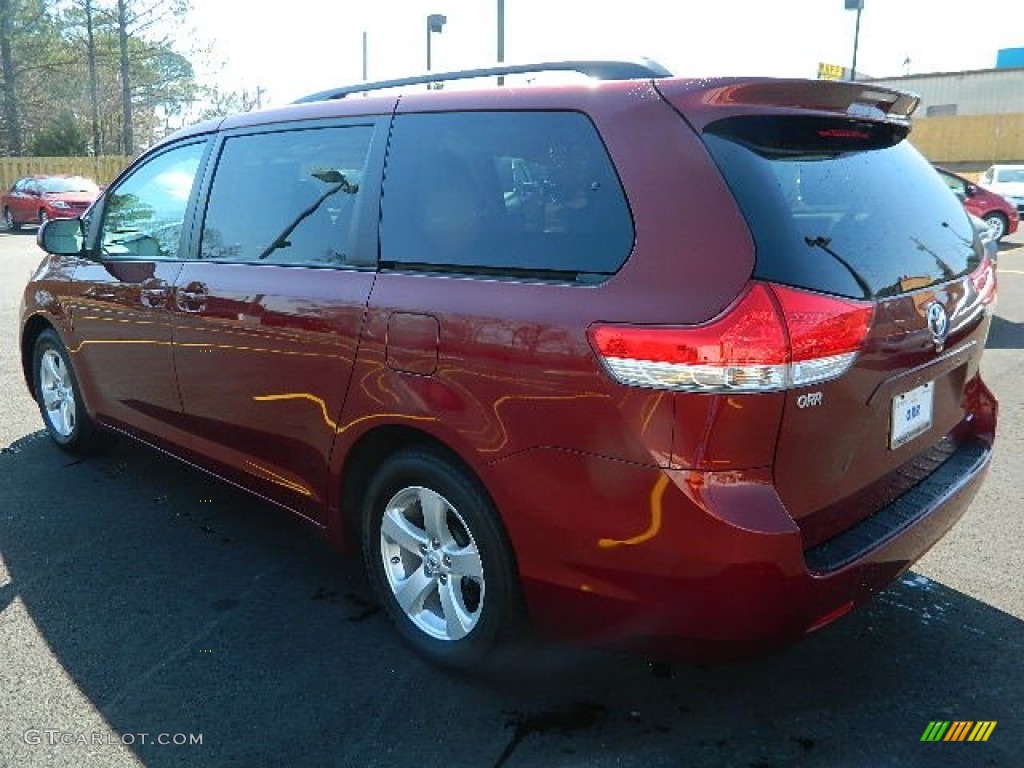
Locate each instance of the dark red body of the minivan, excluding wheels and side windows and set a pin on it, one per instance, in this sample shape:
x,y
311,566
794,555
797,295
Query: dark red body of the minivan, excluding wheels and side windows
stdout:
x,y
717,521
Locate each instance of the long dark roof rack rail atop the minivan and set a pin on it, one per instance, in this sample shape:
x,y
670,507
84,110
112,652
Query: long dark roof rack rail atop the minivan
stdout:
x,y
642,69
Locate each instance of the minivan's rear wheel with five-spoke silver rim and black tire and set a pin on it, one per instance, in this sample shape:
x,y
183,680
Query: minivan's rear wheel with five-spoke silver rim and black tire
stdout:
x,y
439,560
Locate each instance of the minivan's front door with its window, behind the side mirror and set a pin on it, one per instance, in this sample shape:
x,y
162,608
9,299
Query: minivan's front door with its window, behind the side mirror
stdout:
x,y
121,298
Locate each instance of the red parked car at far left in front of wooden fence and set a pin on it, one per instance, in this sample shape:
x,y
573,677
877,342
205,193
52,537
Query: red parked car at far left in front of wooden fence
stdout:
x,y
33,200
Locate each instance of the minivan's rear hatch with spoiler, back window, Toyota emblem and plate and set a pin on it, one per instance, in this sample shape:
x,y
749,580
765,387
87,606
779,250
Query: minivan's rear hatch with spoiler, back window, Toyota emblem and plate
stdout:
x,y
841,206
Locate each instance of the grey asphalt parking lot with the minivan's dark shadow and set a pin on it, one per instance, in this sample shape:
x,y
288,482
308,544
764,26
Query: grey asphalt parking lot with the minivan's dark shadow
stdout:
x,y
166,620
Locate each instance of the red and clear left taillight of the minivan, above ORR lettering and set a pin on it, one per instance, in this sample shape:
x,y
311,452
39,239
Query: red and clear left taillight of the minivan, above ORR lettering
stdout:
x,y
773,338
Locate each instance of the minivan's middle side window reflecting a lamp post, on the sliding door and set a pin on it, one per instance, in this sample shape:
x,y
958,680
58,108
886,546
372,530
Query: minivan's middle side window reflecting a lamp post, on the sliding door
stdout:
x,y
286,198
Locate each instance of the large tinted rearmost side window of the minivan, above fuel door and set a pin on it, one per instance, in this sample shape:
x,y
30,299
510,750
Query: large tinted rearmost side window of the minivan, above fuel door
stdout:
x,y
500,193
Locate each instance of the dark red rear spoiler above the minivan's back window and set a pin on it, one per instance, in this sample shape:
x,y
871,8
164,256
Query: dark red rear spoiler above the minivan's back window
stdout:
x,y
703,102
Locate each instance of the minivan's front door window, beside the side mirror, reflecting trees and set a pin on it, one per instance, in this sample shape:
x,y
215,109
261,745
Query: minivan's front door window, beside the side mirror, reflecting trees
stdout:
x,y
144,215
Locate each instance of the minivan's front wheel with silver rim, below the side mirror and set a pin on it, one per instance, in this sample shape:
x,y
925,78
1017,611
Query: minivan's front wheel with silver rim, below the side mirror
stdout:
x,y
60,399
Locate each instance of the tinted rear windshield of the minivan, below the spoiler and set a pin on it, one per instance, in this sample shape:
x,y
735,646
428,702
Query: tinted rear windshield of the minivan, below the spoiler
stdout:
x,y
843,207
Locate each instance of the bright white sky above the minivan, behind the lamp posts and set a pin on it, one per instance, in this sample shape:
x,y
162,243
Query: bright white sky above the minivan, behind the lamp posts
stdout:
x,y
310,46
